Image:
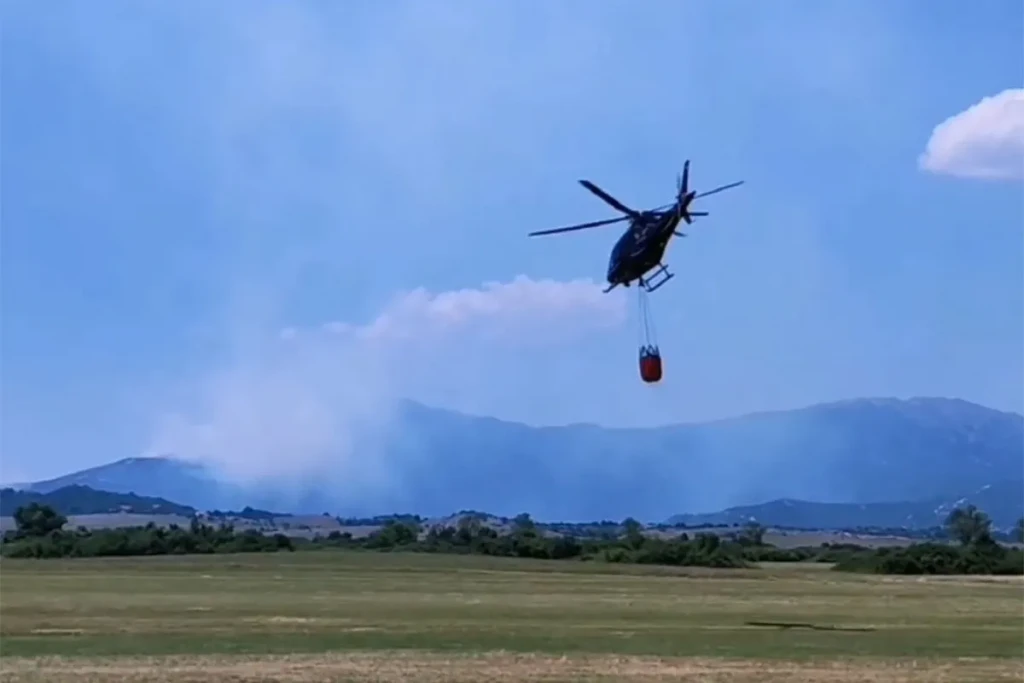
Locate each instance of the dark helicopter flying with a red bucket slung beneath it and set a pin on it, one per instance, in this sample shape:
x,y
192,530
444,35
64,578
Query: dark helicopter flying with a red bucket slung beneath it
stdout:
x,y
643,246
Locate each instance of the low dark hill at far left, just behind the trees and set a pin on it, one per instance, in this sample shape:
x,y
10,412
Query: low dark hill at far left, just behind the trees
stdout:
x,y
78,500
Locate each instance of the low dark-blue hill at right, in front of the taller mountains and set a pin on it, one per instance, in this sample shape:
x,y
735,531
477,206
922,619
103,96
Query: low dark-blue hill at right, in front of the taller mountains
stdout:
x,y
1003,502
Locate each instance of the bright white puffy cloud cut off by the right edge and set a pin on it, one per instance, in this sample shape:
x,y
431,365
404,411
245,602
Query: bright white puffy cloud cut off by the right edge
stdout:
x,y
987,141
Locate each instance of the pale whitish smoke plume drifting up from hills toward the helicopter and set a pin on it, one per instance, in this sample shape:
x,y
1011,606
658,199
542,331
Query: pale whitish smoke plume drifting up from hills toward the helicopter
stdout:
x,y
289,408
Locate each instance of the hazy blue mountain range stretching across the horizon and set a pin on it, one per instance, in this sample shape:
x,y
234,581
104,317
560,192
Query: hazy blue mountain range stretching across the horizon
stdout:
x,y
926,452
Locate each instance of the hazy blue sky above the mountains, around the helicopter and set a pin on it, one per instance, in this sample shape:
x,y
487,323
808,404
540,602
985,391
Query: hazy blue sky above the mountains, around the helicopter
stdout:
x,y
249,219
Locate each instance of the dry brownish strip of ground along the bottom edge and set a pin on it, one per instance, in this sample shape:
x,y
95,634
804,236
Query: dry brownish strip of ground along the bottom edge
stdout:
x,y
500,668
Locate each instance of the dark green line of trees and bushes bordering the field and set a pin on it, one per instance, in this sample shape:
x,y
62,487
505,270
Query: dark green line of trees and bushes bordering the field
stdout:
x,y
40,534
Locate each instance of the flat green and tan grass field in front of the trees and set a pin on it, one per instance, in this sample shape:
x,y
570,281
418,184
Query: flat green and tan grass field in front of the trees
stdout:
x,y
364,617
